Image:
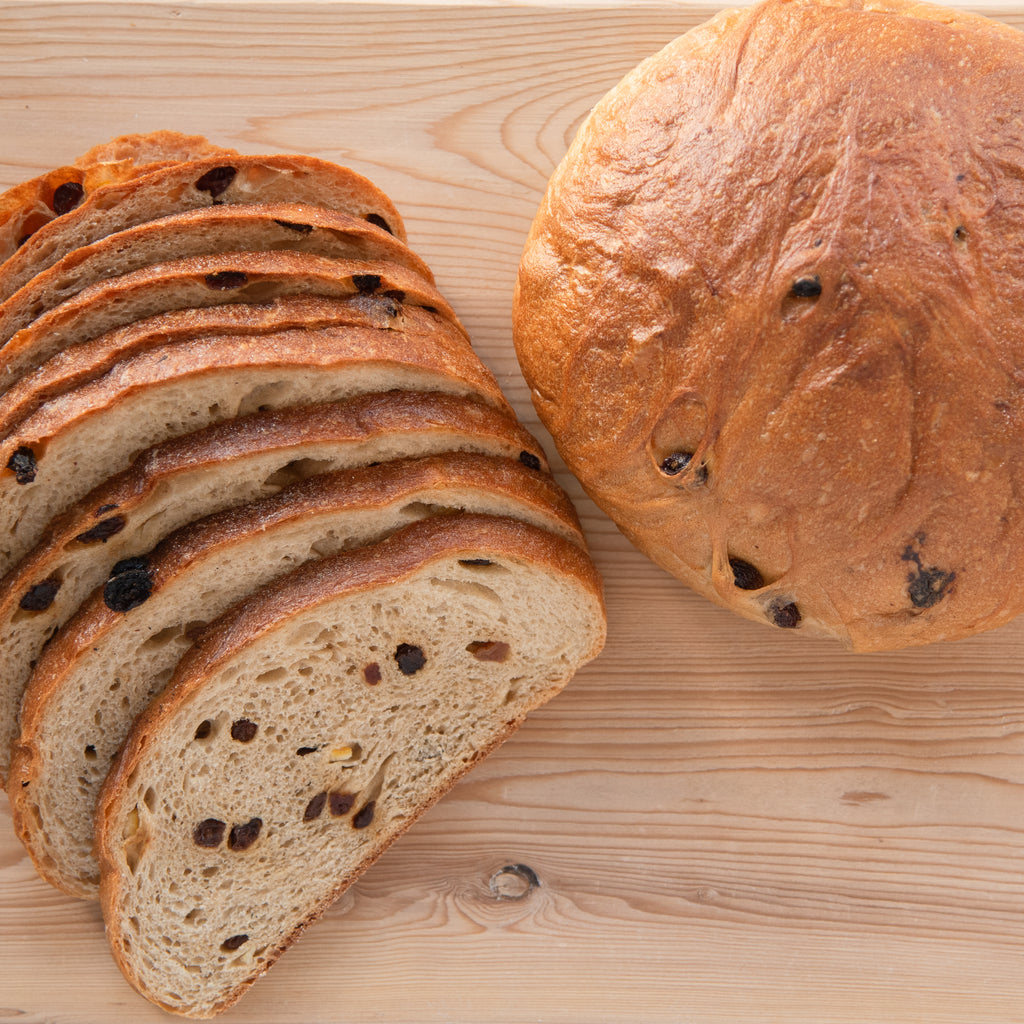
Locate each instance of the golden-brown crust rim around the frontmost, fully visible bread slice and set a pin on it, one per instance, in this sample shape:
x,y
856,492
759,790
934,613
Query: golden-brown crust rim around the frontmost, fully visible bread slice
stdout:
x,y
362,571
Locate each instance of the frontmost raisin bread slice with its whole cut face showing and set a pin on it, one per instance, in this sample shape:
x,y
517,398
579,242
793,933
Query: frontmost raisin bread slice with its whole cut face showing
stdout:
x,y
311,727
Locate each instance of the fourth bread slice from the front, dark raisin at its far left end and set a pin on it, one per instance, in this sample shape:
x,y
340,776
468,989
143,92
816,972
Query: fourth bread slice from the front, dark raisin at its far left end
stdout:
x,y
66,449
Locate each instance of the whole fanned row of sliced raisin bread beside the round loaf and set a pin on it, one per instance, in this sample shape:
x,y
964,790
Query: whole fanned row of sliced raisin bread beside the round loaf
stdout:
x,y
280,563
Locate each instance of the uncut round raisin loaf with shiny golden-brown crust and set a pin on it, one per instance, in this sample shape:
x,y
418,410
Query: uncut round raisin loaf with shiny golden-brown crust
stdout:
x,y
773,313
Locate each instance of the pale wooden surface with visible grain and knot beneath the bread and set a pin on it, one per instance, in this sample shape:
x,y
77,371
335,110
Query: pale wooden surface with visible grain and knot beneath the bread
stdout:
x,y
726,824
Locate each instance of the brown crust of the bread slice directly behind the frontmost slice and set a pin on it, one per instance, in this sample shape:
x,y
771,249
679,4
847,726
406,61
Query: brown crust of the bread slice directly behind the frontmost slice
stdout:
x,y
453,482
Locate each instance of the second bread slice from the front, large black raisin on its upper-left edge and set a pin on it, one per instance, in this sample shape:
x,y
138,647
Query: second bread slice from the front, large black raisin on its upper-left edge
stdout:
x,y
117,653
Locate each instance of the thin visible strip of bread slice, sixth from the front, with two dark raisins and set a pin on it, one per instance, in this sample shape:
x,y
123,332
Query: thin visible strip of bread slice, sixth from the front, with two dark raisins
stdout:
x,y
208,281
